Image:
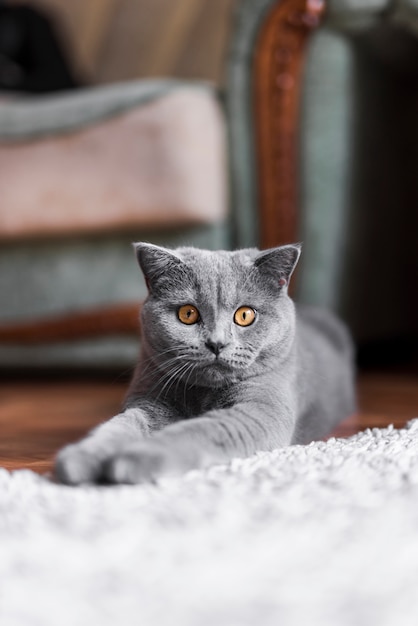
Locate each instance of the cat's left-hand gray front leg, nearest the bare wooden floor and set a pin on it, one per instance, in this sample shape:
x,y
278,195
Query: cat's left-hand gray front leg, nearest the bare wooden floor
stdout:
x,y
85,461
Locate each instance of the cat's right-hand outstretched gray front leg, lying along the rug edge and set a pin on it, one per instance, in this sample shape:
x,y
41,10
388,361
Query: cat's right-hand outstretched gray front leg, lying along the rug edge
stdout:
x,y
216,437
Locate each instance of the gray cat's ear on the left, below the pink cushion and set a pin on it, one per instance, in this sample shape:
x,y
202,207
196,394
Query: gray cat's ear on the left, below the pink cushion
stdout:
x,y
157,263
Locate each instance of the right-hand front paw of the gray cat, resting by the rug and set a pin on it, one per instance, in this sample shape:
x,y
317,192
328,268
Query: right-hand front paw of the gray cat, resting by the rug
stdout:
x,y
143,463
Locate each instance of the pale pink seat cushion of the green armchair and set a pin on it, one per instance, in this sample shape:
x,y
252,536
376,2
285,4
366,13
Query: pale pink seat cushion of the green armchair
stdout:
x,y
162,164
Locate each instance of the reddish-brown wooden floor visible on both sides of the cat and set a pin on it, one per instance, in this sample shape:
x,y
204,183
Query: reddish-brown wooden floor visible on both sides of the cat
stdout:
x,y
37,418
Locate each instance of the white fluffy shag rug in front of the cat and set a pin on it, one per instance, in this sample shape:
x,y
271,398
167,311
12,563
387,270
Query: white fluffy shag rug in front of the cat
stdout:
x,y
325,534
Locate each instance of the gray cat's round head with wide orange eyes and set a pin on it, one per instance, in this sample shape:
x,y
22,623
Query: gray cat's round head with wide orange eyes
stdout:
x,y
214,318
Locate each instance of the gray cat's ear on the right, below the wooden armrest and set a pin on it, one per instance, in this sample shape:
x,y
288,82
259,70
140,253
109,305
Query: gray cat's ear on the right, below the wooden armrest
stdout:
x,y
279,263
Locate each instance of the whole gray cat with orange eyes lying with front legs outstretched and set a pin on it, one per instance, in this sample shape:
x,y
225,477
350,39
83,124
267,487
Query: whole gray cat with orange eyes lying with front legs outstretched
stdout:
x,y
227,367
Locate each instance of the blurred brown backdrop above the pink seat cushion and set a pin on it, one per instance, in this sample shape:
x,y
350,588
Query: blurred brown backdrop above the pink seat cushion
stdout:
x,y
107,41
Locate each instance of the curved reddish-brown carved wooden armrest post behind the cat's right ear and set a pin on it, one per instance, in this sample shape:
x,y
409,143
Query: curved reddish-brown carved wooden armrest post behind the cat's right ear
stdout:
x,y
277,76
